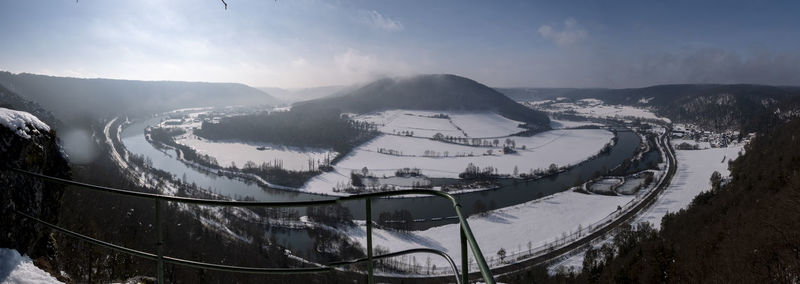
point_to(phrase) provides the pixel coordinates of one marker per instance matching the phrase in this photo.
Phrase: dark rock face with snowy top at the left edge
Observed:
(27, 143)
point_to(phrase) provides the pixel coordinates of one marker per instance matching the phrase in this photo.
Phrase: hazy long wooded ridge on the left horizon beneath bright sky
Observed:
(73, 99)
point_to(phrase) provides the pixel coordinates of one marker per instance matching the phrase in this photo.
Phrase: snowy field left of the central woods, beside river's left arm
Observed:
(227, 152)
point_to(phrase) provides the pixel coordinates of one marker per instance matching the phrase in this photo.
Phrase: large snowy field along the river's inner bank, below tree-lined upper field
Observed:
(560, 147)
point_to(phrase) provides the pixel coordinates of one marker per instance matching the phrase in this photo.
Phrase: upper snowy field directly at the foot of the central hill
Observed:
(423, 124)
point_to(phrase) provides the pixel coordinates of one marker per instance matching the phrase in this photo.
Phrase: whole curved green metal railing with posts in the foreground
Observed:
(466, 236)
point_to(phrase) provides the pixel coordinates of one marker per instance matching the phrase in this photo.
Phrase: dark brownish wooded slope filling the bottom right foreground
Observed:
(745, 231)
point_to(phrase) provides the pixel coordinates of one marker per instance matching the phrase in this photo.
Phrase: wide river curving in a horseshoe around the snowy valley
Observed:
(511, 192)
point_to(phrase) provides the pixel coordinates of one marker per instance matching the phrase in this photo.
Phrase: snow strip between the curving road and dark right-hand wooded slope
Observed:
(694, 171)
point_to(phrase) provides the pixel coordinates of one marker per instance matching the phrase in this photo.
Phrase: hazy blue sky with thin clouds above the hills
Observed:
(310, 43)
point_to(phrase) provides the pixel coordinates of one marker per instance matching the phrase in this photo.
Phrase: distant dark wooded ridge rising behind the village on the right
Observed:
(750, 108)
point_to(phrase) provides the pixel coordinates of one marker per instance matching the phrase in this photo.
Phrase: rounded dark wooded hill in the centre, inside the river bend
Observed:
(428, 92)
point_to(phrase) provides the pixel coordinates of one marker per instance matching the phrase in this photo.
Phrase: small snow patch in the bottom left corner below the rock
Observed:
(16, 268)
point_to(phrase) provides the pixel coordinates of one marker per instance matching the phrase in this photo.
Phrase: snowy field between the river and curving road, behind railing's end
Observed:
(539, 222)
